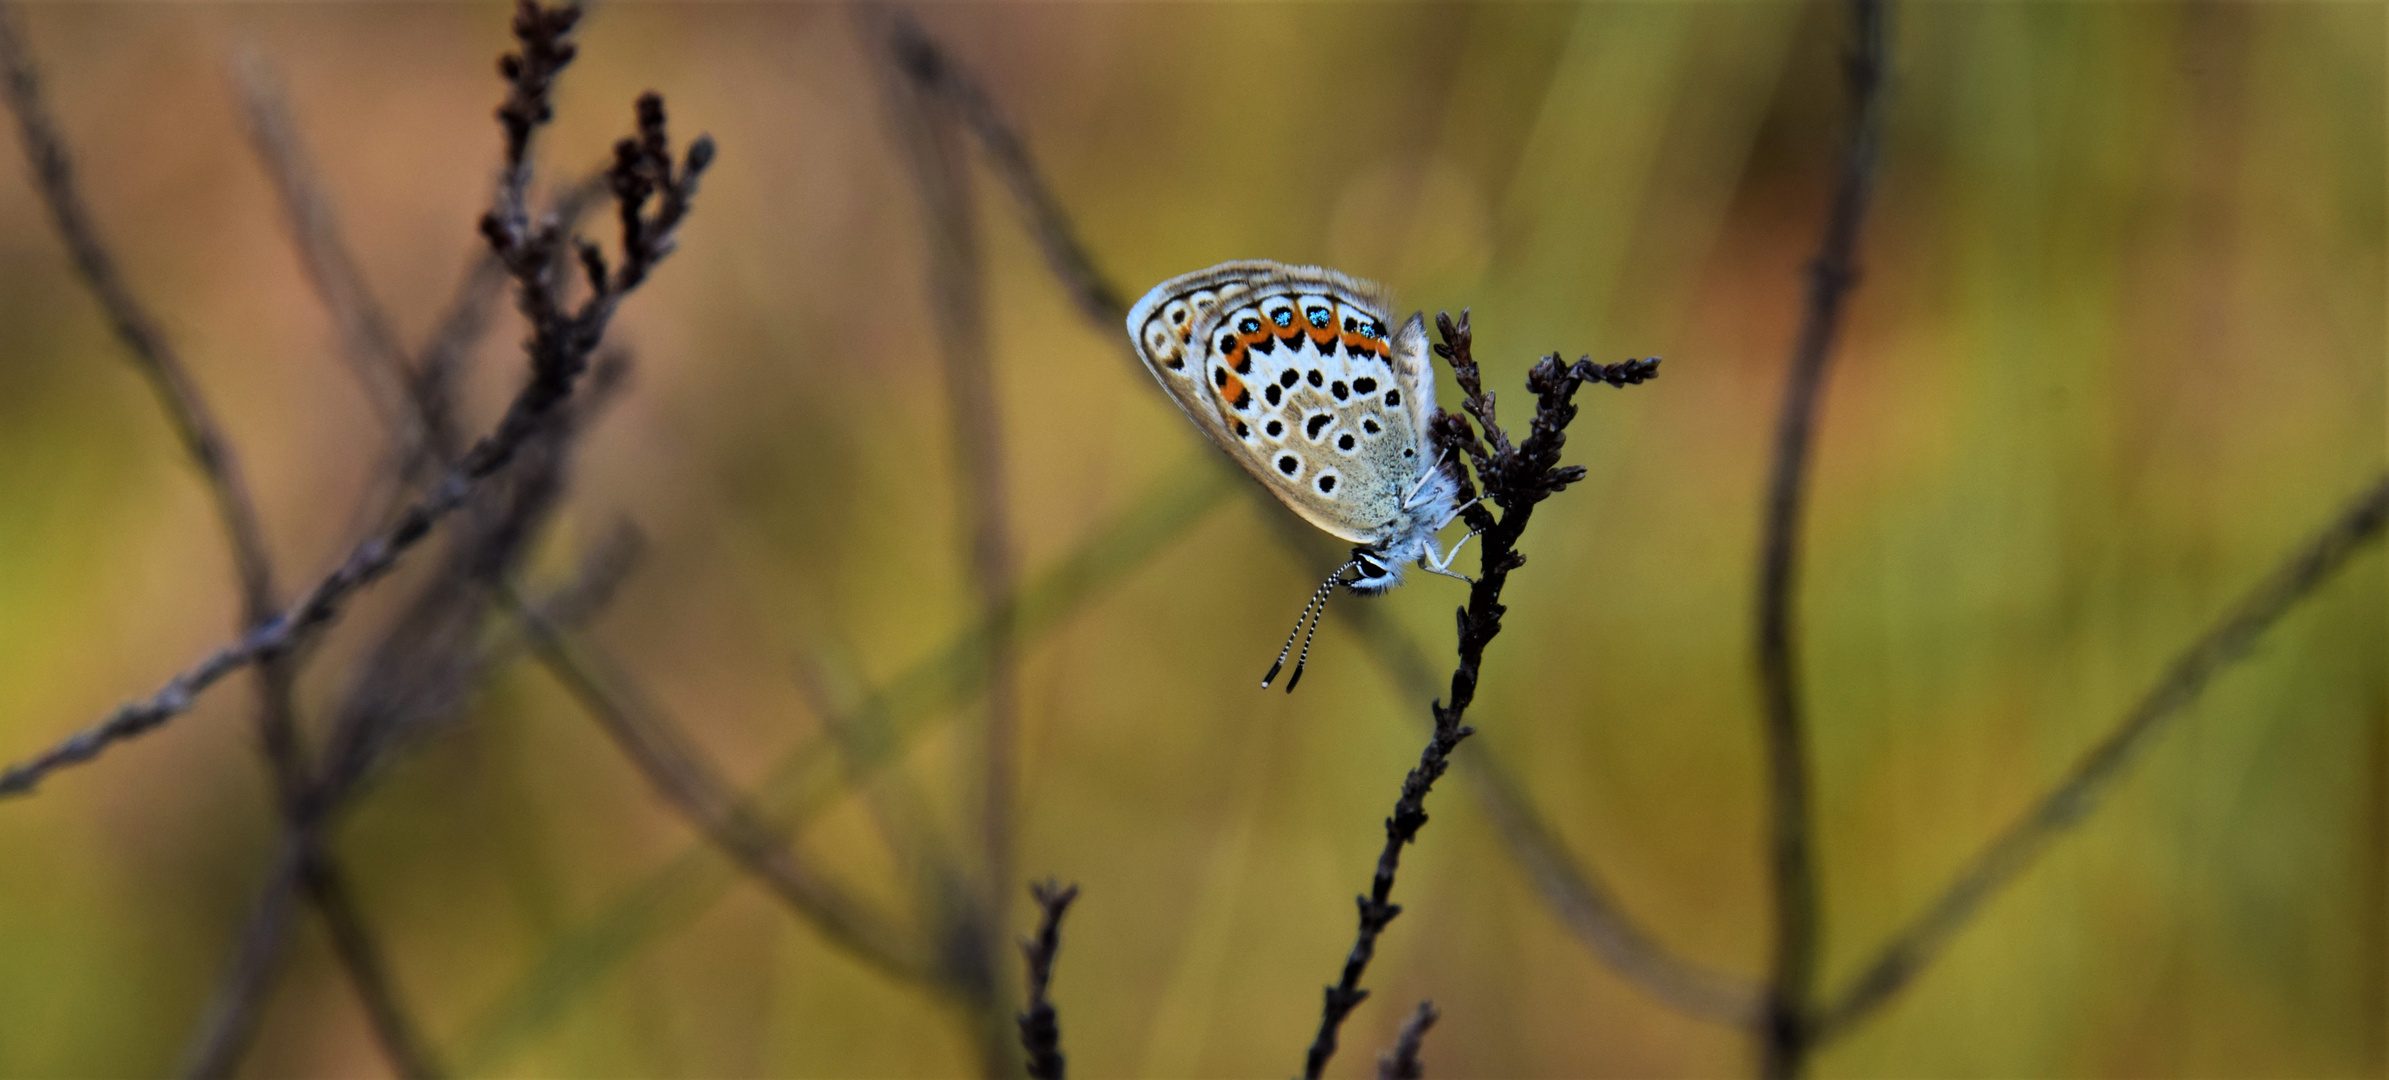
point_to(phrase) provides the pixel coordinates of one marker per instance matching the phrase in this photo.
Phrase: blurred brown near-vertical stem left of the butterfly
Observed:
(933, 140)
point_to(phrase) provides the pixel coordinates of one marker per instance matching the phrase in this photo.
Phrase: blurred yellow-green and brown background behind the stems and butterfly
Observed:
(2118, 348)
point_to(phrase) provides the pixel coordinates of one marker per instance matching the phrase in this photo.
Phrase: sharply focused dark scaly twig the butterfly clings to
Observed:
(1516, 479)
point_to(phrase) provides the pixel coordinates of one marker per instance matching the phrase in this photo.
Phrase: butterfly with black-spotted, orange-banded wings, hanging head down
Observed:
(1303, 381)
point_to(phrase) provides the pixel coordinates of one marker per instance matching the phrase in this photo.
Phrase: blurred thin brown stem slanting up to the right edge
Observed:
(2106, 763)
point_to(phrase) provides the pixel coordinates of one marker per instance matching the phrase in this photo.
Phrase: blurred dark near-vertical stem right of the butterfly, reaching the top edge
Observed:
(1783, 1024)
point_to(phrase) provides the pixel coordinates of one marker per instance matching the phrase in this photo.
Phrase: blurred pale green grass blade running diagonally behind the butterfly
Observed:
(821, 771)
